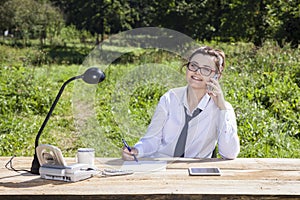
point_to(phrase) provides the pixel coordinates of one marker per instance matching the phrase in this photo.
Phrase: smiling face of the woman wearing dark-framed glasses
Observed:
(196, 79)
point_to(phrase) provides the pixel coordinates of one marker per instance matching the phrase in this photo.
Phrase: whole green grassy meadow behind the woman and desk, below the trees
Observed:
(261, 84)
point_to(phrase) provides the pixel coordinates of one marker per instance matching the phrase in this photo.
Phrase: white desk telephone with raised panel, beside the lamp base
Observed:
(54, 167)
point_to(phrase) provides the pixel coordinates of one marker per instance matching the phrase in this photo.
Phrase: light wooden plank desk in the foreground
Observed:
(247, 178)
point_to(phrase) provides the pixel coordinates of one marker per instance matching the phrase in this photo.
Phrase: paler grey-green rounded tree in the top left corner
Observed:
(30, 19)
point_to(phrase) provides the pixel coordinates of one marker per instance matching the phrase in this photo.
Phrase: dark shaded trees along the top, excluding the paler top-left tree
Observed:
(224, 20)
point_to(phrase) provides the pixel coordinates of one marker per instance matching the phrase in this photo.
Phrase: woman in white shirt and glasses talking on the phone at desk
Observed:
(190, 121)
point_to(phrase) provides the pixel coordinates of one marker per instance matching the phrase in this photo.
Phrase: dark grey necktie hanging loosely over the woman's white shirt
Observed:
(180, 146)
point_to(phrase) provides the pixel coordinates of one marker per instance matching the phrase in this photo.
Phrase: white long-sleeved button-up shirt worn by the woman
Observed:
(212, 126)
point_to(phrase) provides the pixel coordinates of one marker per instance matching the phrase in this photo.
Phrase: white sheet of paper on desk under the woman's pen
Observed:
(145, 166)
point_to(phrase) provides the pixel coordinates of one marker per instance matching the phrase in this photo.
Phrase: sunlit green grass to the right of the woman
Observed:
(262, 86)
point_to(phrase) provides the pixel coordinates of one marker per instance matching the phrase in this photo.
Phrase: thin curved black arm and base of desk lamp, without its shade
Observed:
(35, 163)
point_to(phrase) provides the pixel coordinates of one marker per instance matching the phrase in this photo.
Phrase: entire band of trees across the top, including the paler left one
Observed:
(226, 20)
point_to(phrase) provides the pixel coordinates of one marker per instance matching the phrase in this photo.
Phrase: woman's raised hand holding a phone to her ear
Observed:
(216, 93)
